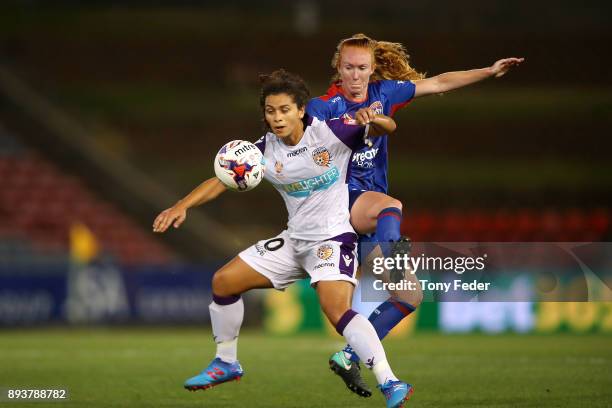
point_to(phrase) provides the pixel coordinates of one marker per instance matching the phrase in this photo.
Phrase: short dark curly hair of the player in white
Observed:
(281, 81)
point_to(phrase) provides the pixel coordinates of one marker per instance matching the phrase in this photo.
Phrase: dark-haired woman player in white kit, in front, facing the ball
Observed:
(307, 162)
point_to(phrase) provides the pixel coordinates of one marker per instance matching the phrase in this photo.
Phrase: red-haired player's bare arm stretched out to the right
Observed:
(458, 79)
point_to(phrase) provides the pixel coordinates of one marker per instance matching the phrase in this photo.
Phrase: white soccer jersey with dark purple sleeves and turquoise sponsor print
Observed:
(311, 177)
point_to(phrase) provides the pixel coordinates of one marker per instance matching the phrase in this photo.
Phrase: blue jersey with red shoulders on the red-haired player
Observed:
(368, 168)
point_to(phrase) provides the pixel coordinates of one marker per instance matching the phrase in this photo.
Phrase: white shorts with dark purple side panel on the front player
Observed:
(284, 260)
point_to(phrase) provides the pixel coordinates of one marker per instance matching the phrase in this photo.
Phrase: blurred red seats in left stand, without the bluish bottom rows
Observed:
(44, 203)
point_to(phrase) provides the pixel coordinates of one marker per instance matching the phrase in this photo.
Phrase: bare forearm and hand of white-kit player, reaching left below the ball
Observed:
(175, 215)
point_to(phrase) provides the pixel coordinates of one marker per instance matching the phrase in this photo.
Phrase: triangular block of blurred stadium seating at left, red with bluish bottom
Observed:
(39, 203)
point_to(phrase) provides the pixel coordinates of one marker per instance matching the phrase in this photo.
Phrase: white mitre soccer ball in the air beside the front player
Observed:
(239, 165)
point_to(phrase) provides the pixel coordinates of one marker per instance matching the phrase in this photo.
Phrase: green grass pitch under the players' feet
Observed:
(146, 368)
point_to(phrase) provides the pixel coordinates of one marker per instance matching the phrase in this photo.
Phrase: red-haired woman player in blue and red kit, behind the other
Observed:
(376, 76)
